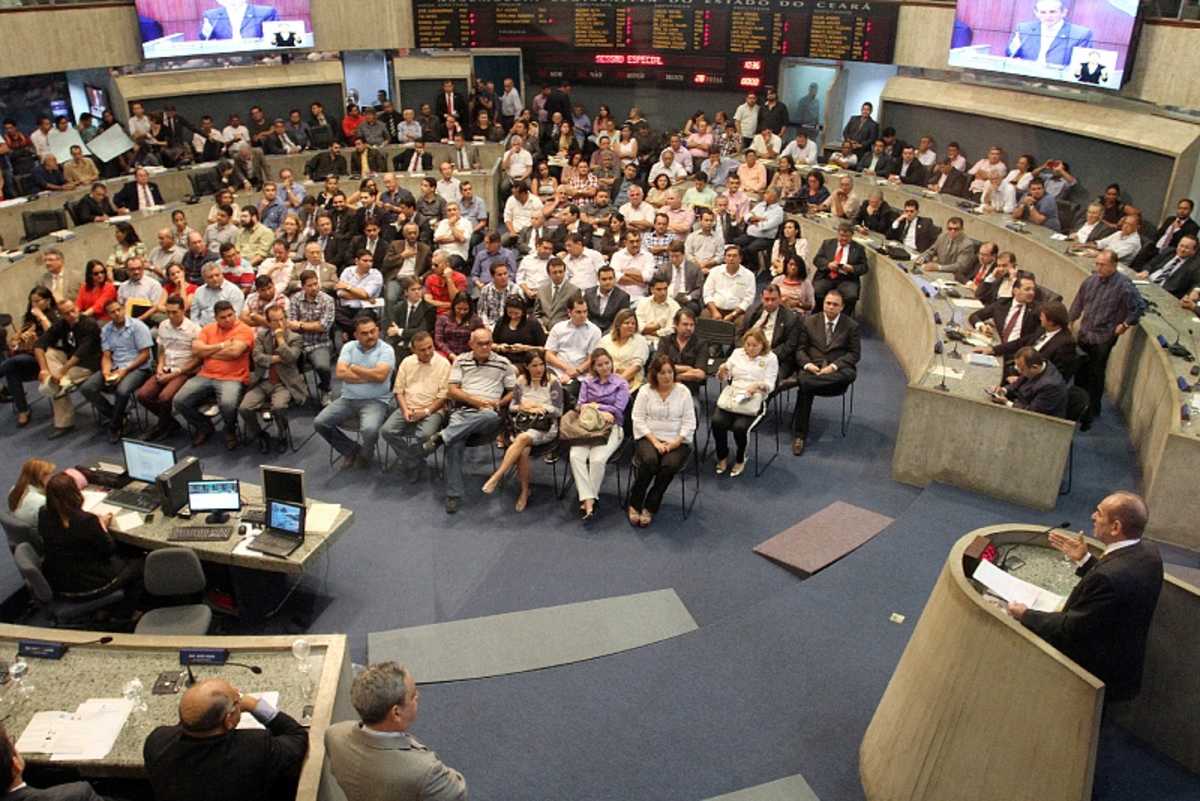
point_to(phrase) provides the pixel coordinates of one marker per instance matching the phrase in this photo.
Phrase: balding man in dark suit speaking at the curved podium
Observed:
(1106, 622)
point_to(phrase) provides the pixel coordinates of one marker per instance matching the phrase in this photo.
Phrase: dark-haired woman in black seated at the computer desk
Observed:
(81, 556)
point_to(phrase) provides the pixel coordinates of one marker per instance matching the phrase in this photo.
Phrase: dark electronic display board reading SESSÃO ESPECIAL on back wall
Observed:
(704, 44)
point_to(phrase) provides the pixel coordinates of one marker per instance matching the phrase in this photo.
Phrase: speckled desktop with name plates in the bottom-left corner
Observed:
(103, 672)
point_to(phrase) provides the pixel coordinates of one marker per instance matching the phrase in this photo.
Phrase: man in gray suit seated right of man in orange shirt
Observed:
(278, 382)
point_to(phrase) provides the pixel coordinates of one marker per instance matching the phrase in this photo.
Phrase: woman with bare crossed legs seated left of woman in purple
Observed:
(535, 411)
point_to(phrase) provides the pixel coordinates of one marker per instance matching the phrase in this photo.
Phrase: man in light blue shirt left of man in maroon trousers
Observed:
(124, 368)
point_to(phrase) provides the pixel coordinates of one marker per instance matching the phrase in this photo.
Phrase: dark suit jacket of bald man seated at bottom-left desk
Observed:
(239, 766)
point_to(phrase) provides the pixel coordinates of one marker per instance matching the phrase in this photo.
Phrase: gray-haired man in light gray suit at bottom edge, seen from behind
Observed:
(377, 760)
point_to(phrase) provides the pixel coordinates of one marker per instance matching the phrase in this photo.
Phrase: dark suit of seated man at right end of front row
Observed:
(815, 347)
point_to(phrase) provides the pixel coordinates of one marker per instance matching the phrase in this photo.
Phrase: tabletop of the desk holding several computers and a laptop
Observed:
(154, 535)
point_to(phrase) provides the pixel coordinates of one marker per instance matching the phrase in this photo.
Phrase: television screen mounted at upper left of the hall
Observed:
(183, 28)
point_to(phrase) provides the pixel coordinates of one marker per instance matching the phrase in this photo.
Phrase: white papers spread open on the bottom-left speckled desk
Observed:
(87, 734)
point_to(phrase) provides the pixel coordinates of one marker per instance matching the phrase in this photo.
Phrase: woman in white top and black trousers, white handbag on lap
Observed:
(752, 372)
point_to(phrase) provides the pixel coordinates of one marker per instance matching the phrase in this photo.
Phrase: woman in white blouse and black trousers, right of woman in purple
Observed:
(664, 424)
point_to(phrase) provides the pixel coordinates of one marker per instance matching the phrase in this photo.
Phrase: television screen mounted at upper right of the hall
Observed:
(1085, 43)
